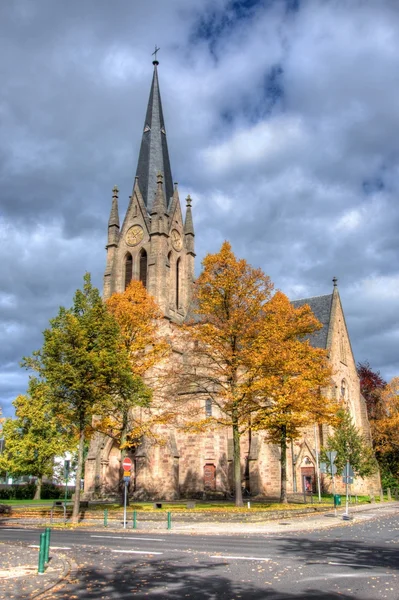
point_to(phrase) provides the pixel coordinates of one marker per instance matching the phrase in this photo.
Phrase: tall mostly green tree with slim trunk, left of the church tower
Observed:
(84, 365)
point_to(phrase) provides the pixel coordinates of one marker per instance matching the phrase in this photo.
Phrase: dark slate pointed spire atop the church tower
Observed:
(154, 155)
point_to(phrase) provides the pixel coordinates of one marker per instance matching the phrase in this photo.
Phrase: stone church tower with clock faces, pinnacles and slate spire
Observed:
(154, 244)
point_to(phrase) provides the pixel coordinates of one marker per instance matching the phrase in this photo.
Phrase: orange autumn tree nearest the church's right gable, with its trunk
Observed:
(291, 377)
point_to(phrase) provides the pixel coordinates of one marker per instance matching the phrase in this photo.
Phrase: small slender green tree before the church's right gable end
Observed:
(350, 446)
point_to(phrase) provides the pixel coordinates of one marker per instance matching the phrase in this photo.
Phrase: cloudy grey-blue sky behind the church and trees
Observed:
(283, 125)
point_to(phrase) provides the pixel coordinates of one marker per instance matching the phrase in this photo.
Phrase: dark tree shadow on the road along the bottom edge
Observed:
(171, 580)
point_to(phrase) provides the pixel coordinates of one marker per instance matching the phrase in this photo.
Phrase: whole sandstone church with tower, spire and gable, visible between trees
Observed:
(155, 245)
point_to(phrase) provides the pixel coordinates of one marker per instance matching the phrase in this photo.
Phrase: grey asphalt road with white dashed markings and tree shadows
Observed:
(358, 561)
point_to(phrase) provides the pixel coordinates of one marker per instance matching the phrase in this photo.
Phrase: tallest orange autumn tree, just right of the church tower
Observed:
(229, 298)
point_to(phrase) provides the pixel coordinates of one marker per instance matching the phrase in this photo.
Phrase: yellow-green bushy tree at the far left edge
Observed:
(34, 437)
